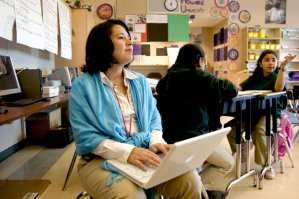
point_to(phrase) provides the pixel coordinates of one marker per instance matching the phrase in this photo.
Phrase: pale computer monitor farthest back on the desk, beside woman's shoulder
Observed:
(63, 75)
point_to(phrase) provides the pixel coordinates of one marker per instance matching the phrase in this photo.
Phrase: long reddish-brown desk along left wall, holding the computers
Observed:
(15, 113)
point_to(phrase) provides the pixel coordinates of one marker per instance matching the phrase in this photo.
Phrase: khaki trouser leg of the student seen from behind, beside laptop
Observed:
(220, 163)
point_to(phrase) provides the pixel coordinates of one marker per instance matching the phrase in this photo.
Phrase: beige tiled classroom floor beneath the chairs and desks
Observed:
(36, 162)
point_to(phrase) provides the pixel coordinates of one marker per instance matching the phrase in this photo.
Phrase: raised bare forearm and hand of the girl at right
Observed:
(279, 84)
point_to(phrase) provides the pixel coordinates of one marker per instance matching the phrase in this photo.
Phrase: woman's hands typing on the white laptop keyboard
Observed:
(139, 157)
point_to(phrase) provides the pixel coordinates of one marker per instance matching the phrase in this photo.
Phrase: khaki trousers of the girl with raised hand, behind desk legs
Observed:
(259, 140)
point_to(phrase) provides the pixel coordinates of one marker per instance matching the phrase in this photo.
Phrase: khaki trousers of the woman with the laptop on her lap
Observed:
(94, 179)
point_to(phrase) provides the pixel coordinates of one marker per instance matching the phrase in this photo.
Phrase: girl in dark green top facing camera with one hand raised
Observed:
(266, 76)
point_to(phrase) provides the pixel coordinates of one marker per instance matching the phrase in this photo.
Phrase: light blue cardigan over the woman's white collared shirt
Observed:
(96, 116)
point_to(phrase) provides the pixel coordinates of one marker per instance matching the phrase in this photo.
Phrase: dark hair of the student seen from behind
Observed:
(189, 55)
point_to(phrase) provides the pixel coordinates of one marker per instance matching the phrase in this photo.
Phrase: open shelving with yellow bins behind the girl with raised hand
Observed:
(283, 41)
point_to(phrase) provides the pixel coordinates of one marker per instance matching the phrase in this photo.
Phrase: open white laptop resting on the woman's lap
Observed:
(183, 157)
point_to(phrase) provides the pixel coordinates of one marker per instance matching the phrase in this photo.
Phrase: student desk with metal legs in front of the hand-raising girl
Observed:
(268, 102)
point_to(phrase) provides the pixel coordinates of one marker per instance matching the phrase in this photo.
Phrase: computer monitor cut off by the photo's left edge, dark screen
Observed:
(9, 83)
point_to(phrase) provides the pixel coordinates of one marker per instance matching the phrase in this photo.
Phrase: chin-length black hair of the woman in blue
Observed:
(99, 47)
